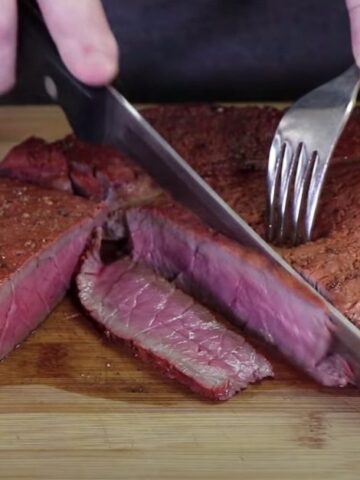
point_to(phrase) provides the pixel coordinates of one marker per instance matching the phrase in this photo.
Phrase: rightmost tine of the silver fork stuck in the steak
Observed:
(315, 188)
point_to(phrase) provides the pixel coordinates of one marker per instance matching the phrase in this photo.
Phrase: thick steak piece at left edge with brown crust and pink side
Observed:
(42, 235)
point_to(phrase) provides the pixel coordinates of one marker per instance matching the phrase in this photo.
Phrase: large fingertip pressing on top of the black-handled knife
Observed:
(84, 39)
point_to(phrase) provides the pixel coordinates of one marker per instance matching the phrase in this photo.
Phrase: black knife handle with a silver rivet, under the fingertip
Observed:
(39, 57)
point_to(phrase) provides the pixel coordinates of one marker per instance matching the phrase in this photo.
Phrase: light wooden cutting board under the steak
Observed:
(72, 406)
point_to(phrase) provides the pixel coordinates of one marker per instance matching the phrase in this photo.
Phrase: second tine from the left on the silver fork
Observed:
(287, 169)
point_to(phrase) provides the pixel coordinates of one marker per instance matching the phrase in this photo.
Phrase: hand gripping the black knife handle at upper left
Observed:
(80, 31)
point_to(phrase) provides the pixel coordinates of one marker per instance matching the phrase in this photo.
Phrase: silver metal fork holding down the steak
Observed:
(300, 154)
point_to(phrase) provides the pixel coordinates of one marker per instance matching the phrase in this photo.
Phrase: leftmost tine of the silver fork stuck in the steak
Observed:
(273, 182)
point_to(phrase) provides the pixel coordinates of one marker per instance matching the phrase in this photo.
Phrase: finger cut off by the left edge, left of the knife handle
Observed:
(8, 33)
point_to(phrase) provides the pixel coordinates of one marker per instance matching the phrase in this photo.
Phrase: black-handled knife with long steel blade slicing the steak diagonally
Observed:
(104, 116)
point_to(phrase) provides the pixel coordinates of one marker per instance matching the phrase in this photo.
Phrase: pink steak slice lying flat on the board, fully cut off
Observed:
(167, 327)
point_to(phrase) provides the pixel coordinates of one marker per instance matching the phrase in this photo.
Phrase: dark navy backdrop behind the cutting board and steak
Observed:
(230, 50)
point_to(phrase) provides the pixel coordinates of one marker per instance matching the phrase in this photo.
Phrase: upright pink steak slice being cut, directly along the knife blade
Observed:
(241, 284)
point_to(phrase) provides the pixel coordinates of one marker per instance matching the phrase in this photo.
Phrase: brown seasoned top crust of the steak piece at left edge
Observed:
(32, 218)
